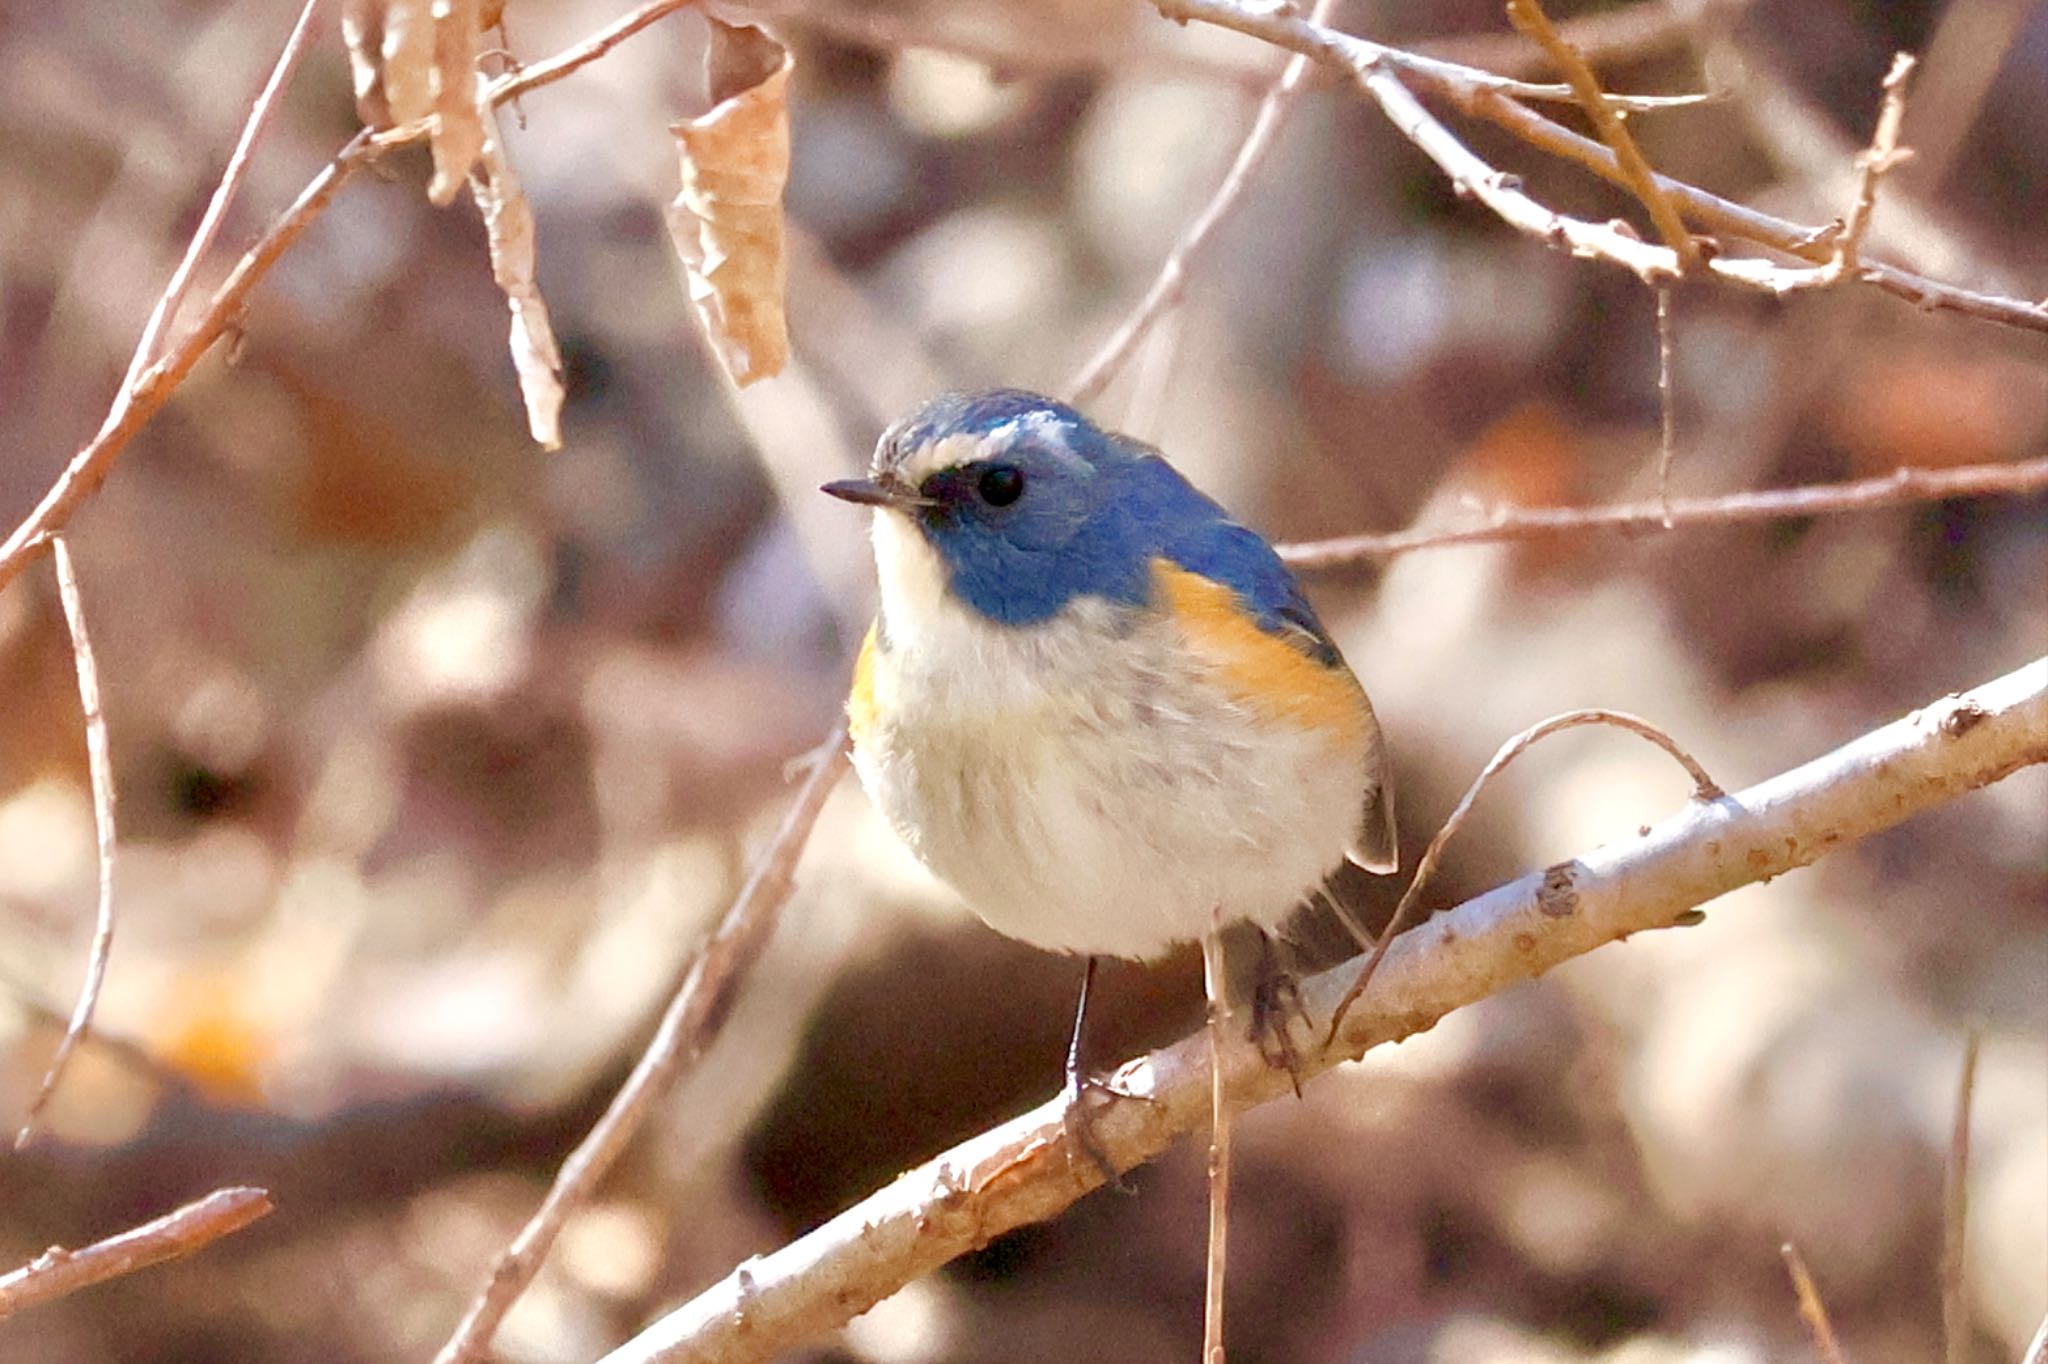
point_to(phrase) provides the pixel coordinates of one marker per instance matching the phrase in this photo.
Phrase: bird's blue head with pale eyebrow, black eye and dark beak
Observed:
(1027, 505)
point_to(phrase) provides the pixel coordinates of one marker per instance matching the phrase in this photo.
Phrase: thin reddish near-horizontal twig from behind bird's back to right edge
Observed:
(1897, 488)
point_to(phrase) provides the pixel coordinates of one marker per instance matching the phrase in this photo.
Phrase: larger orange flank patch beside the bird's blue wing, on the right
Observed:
(1258, 667)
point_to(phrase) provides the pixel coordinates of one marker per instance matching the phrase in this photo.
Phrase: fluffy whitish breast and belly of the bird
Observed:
(1091, 787)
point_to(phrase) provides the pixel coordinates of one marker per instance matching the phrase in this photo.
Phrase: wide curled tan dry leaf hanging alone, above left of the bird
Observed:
(728, 220)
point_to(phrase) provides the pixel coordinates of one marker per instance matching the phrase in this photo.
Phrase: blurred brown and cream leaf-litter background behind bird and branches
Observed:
(437, 755)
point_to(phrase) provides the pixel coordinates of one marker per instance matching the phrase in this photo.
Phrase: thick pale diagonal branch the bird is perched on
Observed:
(1021, 1173)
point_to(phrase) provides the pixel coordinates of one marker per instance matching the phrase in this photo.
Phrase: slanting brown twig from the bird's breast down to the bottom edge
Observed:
(693, 1019)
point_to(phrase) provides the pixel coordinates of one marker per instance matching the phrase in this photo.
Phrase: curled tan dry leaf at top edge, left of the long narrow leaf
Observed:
(419, 58)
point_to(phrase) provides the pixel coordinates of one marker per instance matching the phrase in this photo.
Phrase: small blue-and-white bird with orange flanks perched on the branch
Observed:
(1093, 701)
